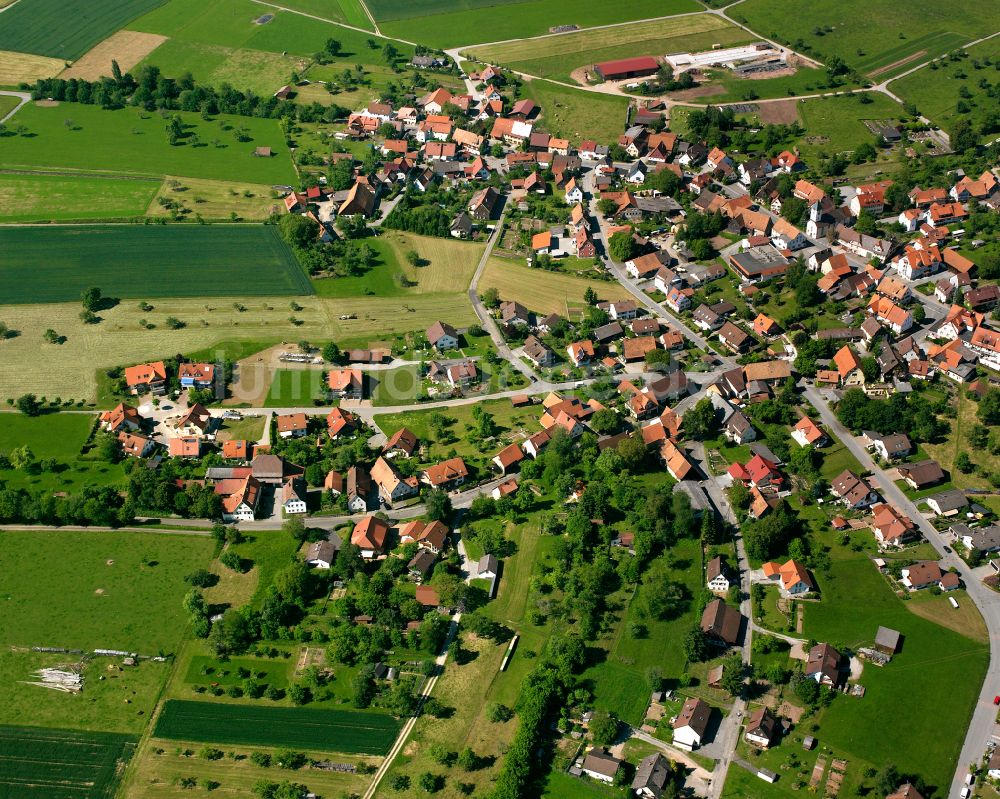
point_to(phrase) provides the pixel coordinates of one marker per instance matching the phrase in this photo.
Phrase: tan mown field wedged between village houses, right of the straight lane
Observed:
(542, 291)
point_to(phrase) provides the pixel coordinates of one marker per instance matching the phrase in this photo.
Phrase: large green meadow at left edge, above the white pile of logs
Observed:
(97, 589)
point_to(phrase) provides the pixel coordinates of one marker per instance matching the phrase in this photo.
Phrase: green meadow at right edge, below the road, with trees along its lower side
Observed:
(937, 92)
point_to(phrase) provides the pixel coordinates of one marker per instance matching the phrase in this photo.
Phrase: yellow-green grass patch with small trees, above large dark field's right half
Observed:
(214, 199)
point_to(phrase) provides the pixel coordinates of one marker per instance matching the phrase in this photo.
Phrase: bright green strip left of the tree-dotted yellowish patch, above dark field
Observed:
(45, 198)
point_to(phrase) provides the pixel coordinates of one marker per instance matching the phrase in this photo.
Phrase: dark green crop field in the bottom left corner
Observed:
(40, 763)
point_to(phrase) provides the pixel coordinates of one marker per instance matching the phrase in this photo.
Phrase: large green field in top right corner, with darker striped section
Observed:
(877, 37)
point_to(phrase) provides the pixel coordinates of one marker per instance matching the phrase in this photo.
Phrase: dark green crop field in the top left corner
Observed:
(64, 29)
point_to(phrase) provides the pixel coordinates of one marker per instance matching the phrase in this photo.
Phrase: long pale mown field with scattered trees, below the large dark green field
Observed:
(70, 369)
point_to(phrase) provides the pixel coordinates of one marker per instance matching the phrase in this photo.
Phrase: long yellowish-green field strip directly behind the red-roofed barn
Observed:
(558, 56)
